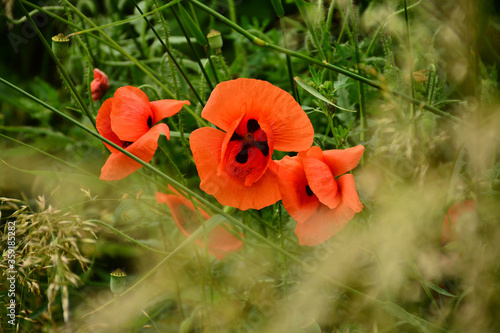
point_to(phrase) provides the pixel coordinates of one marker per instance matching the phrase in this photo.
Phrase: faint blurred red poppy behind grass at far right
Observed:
(455, 214)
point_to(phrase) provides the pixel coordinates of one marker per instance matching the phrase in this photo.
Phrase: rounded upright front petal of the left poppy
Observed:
(130, 113)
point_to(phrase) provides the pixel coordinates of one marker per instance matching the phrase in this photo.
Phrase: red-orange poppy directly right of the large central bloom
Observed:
(315, 196)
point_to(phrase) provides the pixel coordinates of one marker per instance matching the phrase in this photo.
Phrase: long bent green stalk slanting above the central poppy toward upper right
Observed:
(261, 43)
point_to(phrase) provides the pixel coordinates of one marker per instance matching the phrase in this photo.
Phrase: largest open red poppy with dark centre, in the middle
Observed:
(255, 117)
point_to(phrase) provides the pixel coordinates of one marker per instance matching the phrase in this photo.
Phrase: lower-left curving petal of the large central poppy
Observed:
(206, 145)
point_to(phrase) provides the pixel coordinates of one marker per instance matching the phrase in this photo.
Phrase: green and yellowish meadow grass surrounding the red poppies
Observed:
(388, 270)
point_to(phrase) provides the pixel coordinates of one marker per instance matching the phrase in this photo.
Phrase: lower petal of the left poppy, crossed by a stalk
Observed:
(119, 166)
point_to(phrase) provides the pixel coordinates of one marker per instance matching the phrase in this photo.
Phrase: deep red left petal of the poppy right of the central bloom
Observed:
(298, 202)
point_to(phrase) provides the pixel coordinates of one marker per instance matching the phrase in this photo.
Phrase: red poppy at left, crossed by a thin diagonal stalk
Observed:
(128, 119)
